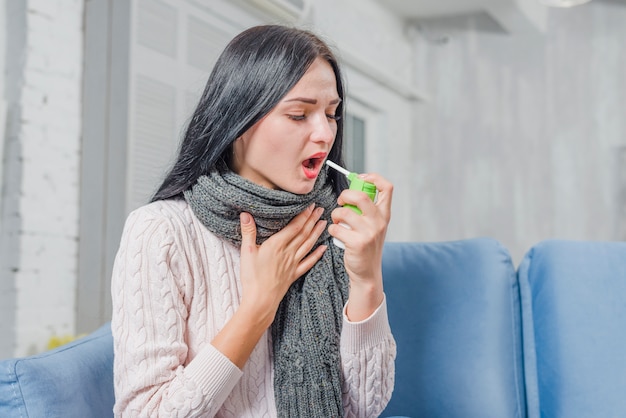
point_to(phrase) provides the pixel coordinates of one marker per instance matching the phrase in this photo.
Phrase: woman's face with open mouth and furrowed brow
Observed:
(287, 148)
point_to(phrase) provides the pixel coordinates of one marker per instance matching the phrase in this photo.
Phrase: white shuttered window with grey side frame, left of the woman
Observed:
(158, 54)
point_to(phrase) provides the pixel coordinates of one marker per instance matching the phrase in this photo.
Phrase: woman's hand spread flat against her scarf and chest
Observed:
(269, 269)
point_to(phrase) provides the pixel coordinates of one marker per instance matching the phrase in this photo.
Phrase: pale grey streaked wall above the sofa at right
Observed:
(523, 138)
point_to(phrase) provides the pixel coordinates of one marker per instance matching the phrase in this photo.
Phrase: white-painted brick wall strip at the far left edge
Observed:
(45, 152)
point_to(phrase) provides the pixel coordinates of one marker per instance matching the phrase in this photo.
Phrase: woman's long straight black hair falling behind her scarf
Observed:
(253, 73)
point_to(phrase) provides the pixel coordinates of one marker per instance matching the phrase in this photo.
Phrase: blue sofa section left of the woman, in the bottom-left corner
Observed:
(74, 380)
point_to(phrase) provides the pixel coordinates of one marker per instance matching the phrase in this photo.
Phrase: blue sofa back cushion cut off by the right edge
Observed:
(574, 316)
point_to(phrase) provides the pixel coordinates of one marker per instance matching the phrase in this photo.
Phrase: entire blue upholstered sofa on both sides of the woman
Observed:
(476, 338)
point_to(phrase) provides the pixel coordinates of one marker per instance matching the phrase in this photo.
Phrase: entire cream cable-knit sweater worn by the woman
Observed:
(174, 286)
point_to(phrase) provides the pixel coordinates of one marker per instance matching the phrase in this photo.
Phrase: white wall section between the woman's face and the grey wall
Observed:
(377, 54)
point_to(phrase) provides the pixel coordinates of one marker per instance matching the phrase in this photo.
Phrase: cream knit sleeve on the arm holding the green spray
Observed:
(368, 352)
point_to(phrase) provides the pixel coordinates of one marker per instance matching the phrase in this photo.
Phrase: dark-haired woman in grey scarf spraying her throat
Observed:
(229, 298)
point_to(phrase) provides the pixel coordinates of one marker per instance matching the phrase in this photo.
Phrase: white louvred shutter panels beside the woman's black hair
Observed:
(174, 46)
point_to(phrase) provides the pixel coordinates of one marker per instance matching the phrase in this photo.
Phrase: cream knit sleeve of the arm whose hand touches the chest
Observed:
(152, 375)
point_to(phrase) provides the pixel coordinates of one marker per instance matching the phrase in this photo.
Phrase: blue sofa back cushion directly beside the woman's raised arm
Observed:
(454, 310)
